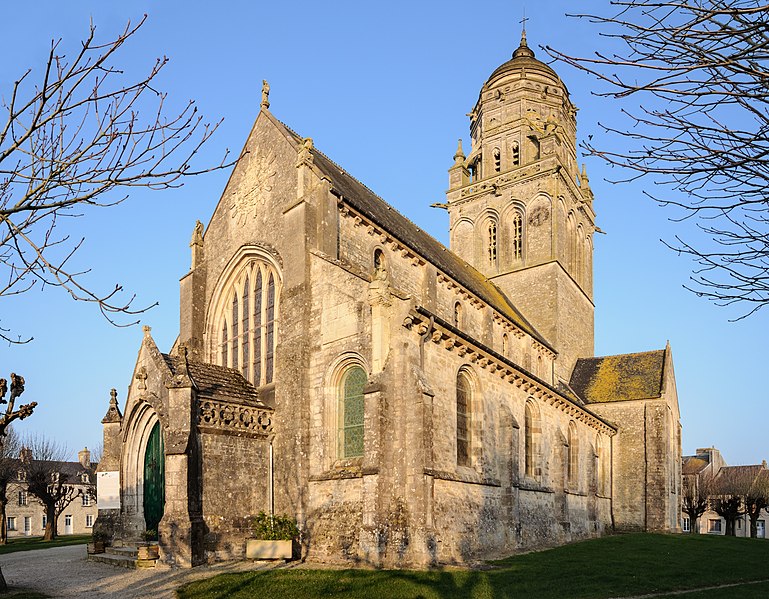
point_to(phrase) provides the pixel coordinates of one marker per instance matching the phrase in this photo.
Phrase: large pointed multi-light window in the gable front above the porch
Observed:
(247, 318)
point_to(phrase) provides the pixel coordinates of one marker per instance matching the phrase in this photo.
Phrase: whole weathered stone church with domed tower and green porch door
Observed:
(410, 404)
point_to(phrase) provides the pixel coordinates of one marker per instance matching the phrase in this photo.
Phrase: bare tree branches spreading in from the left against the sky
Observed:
(79, 134)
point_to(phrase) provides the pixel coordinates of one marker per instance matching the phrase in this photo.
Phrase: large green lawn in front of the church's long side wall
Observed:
(617, 566)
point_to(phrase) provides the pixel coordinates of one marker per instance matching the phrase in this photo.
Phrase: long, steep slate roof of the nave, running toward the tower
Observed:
(370, 205)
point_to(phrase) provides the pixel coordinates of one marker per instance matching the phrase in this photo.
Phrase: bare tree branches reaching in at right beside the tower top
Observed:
(695, 74)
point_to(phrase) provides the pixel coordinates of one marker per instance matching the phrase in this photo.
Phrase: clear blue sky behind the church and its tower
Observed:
(383, 88)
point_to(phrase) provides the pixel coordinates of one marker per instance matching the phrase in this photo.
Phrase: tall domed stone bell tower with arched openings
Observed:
(521, 211)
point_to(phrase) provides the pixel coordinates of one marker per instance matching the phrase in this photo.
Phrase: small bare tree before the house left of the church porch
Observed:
(49, 480)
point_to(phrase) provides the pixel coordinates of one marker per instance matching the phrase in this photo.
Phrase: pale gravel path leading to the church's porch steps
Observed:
(65, 572)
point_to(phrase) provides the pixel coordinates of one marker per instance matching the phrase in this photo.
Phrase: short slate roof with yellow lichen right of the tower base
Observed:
(619, 378)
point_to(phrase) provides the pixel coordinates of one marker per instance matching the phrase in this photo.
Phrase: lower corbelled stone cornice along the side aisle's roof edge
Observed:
(452, 339)
